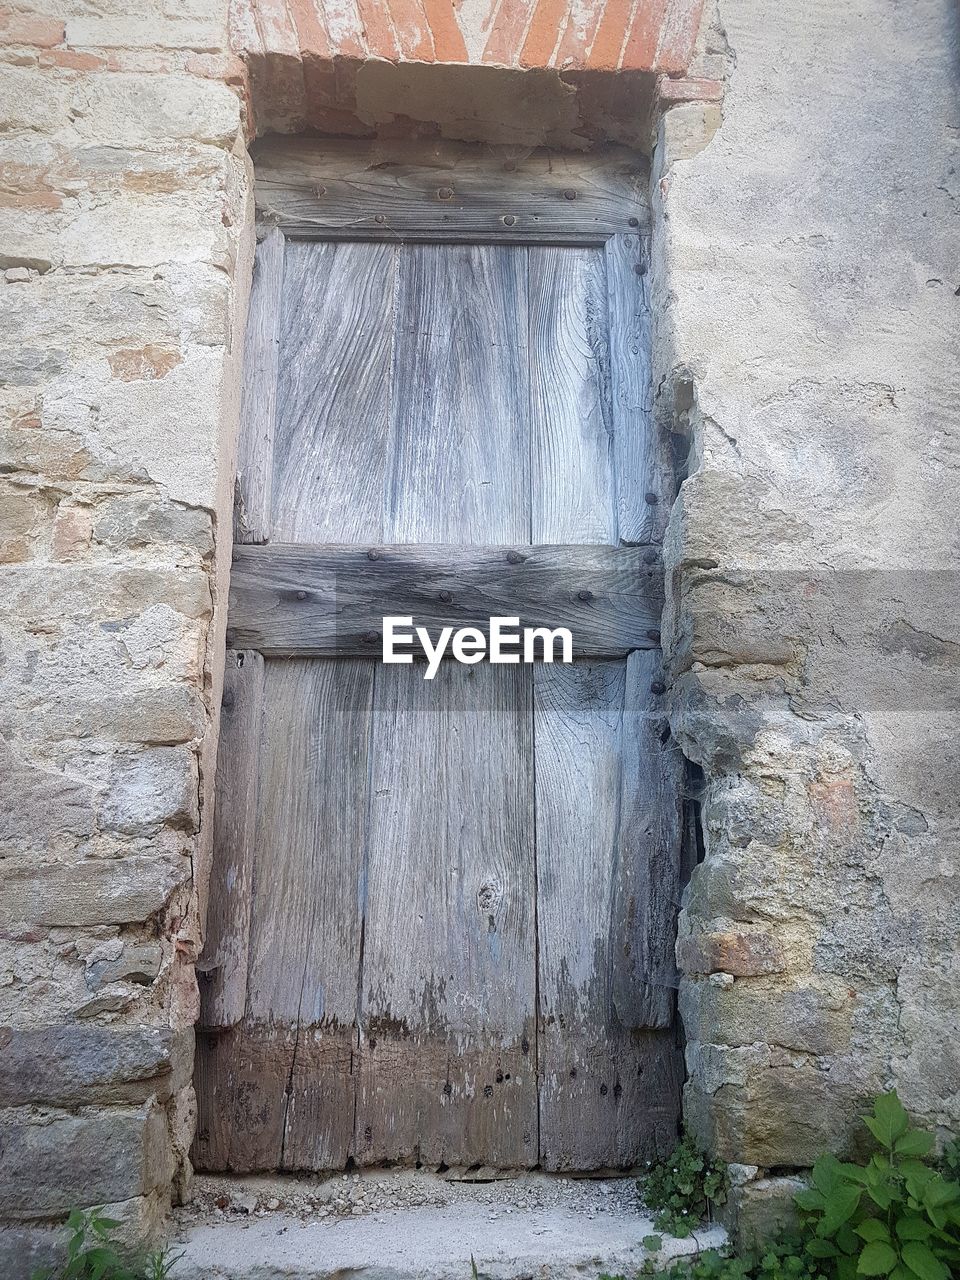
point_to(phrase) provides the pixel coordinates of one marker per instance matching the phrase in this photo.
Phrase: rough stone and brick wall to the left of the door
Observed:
(125, 246)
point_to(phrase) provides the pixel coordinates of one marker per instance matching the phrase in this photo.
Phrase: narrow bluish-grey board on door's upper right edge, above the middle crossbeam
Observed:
(643, 468)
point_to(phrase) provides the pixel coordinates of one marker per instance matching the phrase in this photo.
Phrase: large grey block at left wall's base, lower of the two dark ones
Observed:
(54, 1164)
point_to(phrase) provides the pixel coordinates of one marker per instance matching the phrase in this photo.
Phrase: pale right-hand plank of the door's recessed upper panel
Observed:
(570, 397)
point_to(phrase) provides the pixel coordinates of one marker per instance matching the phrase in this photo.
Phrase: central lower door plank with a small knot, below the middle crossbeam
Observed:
(449, 982)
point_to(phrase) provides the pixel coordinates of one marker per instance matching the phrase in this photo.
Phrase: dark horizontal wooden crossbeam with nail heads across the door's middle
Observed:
(324, 601)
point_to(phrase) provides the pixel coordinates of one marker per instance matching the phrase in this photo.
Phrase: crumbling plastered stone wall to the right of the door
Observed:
(808, 318)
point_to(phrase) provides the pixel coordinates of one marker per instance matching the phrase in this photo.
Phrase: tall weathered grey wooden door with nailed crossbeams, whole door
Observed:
(442, 913)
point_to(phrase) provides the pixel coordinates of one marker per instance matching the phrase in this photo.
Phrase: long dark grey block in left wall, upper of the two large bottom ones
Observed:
(79, 1066)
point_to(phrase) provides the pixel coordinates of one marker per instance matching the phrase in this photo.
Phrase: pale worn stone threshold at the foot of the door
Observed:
(413, 1226)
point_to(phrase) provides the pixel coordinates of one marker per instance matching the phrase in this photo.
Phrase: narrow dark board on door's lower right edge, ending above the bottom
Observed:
(648, 861)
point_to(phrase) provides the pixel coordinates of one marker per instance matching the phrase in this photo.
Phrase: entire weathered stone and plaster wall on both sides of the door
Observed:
(807, 289)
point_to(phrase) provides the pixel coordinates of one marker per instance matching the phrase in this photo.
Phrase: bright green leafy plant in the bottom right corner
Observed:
(898, 1217)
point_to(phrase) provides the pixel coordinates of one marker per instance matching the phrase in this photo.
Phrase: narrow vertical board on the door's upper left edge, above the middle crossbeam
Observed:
(252, 522)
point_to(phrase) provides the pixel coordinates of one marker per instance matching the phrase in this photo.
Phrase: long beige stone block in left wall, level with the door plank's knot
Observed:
(97, 892)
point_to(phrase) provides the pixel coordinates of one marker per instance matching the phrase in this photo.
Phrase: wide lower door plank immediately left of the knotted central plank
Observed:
(296, 1057)
